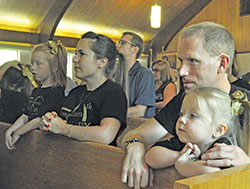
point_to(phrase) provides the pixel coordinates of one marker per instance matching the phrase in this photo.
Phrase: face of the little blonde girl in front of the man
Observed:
(192, 126)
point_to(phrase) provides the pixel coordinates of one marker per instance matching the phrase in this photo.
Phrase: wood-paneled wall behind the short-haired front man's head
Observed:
(227, 14)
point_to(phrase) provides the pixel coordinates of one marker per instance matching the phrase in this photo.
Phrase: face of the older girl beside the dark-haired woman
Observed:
(40, 67)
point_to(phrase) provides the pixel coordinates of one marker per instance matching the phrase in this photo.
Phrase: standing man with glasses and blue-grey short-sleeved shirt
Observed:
(141, 80)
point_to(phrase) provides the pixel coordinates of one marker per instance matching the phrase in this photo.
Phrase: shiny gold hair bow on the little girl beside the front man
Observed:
(239, 98)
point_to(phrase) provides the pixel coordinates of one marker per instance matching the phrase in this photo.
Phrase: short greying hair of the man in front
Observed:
(216, 39)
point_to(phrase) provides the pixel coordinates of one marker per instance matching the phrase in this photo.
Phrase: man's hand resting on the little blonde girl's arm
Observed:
(222, 155)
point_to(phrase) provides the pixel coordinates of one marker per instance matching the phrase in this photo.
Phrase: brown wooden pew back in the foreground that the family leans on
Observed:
(52, 161)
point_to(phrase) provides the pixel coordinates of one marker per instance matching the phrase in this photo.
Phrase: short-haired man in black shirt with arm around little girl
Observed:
(205, 52)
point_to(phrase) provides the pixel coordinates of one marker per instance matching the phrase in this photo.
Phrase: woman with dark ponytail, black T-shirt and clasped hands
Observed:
(95, 111)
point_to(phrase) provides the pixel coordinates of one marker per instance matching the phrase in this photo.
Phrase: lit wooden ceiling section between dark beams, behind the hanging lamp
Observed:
(116, 16)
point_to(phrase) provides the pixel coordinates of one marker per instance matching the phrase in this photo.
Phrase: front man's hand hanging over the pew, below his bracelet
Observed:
(135, 172)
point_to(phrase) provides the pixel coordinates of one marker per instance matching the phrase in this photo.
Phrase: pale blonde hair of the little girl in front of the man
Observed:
(218, 104)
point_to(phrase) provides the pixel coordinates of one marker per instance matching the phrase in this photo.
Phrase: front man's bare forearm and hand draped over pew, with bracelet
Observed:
(135, 171)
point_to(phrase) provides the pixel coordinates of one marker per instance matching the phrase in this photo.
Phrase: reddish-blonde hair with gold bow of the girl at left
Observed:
(57, 58)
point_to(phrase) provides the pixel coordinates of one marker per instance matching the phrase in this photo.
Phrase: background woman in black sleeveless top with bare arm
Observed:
(165, 89)
